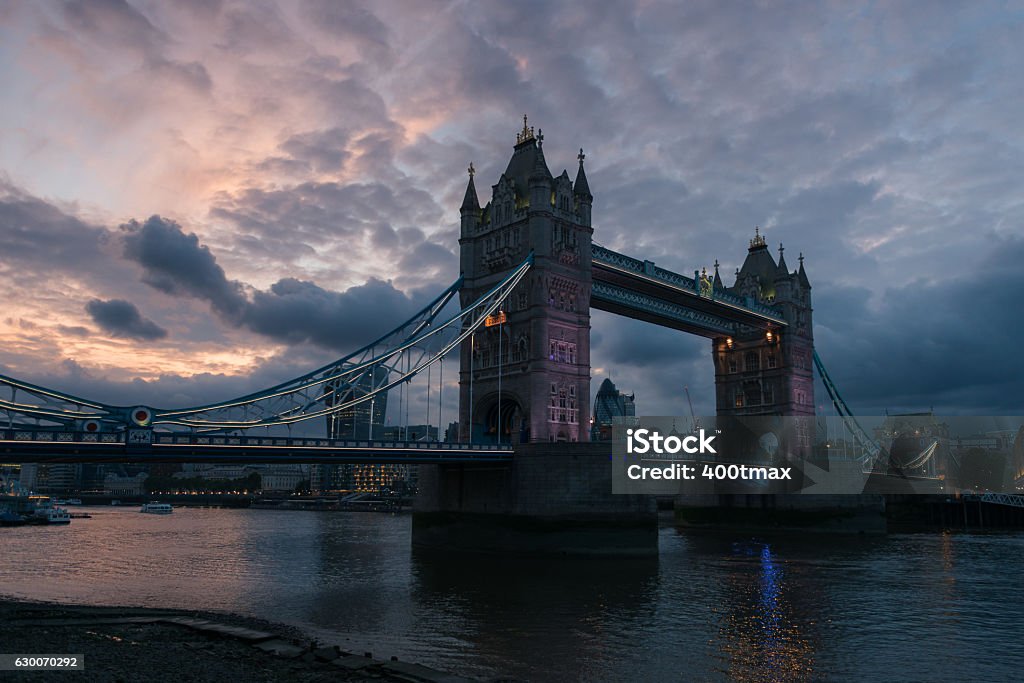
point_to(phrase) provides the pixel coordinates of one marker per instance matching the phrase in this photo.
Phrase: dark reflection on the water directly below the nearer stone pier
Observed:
(583, 615)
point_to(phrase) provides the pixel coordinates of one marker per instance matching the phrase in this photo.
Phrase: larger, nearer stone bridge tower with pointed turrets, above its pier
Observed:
(527, 377)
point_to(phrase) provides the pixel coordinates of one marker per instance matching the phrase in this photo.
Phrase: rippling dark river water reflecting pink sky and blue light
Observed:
(724, 607)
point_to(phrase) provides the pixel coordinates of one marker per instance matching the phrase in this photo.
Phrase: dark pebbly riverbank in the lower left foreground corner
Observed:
(140, 645)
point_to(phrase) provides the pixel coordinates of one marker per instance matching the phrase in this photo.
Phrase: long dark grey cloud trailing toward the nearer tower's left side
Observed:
(292, 311)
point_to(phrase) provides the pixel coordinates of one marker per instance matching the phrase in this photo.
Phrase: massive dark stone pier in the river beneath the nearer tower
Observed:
(551, 499)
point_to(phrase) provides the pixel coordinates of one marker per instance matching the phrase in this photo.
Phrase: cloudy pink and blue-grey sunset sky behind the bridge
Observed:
(200, 199)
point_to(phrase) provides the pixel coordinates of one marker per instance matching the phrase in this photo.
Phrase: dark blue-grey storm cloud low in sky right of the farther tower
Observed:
(950, 343)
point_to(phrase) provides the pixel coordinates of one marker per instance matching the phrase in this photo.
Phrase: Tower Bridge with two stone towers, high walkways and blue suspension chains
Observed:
(531, 274)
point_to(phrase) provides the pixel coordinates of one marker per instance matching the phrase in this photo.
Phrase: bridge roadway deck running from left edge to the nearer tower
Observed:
(49, 446)
